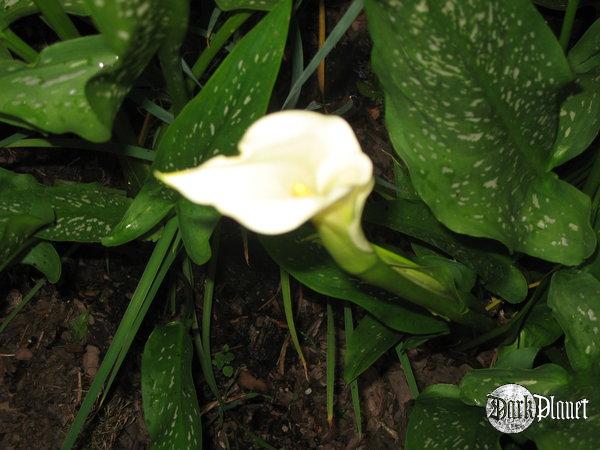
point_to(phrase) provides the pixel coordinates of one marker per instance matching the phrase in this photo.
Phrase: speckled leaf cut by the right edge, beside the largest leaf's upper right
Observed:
(580, 112)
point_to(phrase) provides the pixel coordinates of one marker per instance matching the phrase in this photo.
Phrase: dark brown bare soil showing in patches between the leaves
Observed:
(50, 351)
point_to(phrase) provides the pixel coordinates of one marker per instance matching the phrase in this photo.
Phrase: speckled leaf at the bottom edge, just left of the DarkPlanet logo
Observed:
(440, 420)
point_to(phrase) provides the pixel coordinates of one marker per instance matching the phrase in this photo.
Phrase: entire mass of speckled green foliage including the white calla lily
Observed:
(478, 234)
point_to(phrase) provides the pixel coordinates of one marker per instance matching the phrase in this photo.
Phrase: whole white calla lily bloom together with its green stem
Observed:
(296, 166)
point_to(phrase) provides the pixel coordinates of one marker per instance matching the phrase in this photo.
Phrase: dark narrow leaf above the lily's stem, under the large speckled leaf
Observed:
(415, 219)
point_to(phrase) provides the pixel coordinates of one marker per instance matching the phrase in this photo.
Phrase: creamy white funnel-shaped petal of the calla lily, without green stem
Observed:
(292, 166)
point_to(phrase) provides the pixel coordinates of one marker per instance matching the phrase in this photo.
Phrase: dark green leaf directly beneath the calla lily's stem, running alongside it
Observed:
(311, 265)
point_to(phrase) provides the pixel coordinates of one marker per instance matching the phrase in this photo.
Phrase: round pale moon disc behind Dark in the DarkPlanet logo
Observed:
(510, 408)
